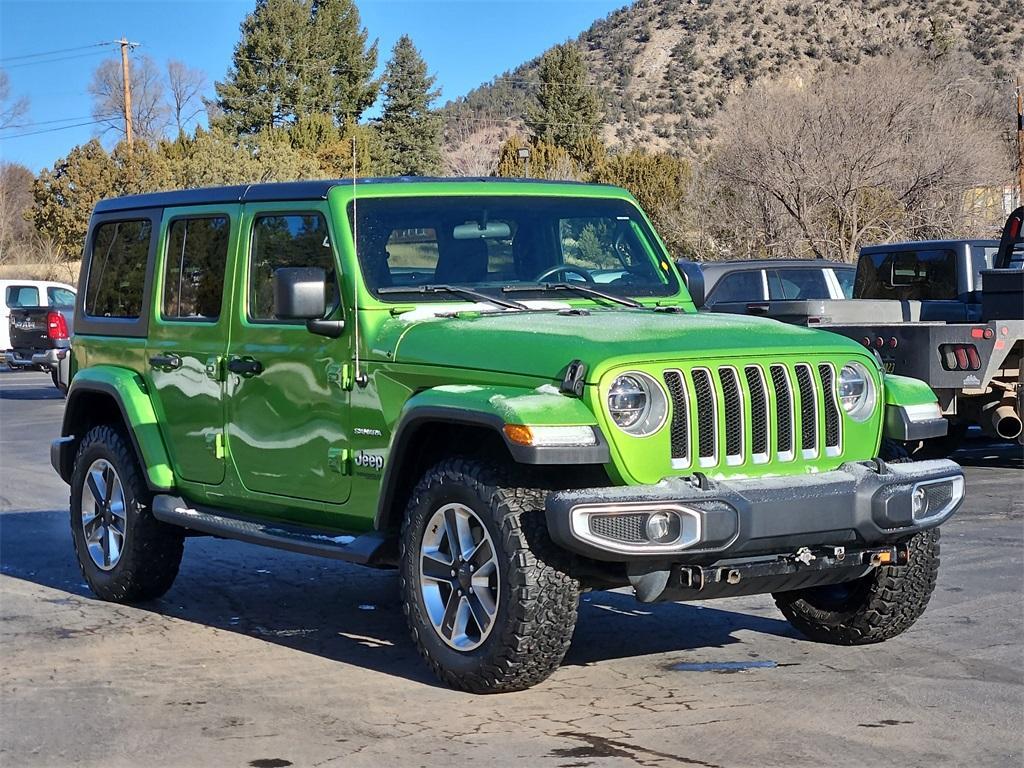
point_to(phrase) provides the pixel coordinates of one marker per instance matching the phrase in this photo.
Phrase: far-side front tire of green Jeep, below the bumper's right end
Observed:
(873, 609)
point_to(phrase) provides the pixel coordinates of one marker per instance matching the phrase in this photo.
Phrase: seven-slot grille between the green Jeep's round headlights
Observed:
(732, 415)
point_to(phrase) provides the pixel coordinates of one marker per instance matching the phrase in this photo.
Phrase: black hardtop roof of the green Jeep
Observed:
(282, 192)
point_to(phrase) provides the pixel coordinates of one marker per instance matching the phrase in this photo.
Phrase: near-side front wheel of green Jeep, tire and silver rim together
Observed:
(517, 631)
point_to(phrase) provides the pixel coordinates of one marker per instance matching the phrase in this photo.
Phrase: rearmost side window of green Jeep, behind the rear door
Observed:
(117, 270)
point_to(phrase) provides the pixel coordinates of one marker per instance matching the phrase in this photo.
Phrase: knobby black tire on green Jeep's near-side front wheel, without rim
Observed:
(537, 603)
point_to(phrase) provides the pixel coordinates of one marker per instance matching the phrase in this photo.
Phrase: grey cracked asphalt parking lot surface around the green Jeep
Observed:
(264, 659)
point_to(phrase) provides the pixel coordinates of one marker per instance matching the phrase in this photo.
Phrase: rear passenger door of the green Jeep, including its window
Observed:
(189, 337)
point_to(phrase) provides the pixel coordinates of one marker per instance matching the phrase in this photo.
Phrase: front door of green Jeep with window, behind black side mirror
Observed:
(288, 406)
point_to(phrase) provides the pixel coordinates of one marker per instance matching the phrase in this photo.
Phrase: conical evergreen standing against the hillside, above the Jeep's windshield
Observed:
(568, 112)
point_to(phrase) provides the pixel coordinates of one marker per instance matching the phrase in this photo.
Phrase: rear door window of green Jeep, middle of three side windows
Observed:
(194, 269)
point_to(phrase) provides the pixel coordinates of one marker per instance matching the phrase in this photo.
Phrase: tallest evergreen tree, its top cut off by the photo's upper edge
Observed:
(295, 59)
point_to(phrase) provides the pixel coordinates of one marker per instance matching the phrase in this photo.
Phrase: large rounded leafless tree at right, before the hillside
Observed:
(891, 149)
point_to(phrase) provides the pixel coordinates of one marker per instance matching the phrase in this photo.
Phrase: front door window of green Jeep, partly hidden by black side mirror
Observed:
(287, 240)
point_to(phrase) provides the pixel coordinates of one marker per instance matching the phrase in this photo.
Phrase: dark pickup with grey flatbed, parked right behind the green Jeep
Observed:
(949, 313)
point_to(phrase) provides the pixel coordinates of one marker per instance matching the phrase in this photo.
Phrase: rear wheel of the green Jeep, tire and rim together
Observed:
(126, 554)
